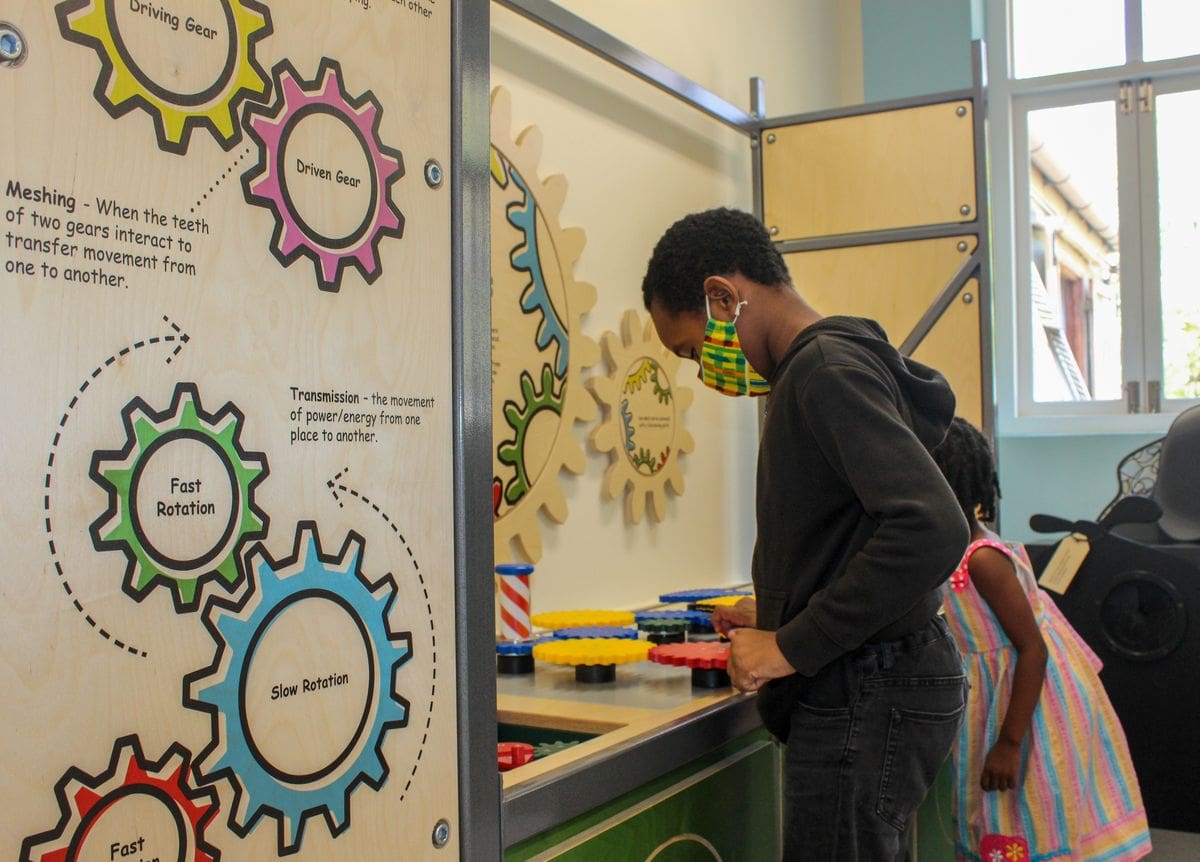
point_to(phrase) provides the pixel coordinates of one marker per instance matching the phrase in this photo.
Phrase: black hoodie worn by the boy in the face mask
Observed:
(857, 529)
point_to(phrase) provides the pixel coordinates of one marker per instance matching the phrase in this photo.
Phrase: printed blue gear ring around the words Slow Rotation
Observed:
(219, 689)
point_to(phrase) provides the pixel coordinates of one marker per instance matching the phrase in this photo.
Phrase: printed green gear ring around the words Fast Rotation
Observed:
(118, 528)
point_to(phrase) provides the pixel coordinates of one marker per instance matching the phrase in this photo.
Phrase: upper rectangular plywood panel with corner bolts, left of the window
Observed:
(871, 172)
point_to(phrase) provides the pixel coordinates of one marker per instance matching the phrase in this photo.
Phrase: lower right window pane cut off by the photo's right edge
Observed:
(1179, 225)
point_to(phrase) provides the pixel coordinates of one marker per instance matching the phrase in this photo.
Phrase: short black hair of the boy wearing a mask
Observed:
(718, 242)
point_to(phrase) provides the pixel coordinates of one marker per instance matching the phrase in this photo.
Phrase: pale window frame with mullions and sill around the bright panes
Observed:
(1010, 100)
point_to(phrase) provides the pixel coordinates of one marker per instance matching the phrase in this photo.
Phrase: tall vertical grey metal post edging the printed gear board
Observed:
(479, 783)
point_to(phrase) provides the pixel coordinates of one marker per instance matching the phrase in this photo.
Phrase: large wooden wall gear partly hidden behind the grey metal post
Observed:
(539, 351)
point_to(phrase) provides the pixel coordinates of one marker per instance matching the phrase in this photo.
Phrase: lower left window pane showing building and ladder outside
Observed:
(1076, 279)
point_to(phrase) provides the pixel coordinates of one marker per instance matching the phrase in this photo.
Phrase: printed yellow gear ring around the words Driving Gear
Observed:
(123, 86)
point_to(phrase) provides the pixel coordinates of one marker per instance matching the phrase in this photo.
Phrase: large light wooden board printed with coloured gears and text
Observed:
(226, 314)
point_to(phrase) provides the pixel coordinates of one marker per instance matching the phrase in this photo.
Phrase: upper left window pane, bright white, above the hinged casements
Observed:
(1053, 37)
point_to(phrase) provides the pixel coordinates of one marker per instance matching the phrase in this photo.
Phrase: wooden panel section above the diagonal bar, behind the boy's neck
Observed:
(892, 284)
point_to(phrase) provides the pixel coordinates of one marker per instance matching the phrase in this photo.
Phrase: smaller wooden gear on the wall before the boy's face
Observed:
(643, 427)
